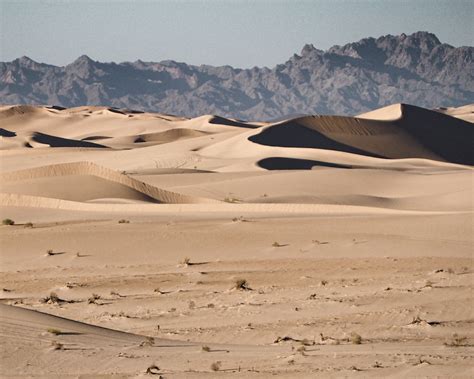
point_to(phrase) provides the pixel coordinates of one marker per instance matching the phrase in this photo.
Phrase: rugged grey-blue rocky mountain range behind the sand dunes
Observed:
(346, 80)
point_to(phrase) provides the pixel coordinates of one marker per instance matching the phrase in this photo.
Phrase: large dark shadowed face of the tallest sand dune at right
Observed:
(416, 133)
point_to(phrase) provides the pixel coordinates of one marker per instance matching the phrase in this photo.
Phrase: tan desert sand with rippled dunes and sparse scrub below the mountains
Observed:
(354, 237)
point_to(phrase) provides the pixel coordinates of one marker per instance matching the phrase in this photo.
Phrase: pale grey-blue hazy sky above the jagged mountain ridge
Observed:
(238, 33)
